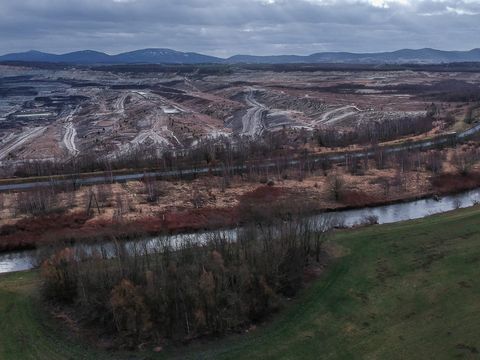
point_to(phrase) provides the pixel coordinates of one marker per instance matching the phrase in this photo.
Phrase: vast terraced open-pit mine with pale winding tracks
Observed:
(63, 112)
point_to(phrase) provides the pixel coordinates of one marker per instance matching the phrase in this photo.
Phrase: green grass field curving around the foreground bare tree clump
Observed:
(403, 291)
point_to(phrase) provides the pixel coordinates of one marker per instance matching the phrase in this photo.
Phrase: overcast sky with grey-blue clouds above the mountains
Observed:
(227, 27)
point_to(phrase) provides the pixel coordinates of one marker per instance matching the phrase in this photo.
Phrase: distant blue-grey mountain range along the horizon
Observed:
(168, 56)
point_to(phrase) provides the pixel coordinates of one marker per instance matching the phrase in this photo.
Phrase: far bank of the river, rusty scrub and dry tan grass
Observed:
(231, 207)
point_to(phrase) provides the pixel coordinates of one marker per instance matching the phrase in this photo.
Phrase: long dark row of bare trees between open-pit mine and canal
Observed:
(224, 156)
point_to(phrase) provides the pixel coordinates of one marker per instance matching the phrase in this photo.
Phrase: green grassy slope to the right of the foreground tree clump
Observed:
(404, 291)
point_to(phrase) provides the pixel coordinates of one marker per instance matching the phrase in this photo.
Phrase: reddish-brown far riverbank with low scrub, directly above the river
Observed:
(309, 196)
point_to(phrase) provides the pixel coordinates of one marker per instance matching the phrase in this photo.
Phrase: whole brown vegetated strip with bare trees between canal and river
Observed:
(56, 214)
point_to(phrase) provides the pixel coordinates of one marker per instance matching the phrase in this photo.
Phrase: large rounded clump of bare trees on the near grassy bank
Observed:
(185, 287)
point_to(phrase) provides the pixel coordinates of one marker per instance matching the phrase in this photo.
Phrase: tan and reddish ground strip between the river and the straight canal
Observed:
(204, 204)
